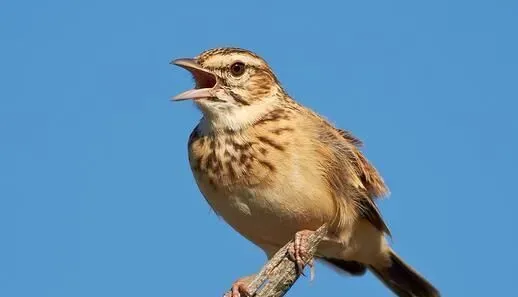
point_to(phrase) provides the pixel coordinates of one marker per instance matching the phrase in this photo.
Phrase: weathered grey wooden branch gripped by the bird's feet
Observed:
(280, 273)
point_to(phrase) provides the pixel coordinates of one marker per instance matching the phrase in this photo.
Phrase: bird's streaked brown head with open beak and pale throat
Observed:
(233, 87)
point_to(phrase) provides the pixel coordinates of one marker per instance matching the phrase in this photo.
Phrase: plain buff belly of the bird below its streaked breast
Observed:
(267, 217)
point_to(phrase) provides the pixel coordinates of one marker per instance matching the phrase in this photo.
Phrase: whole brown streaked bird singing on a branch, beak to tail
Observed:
(275, 170)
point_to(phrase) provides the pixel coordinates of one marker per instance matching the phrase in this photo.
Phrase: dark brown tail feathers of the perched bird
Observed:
(402, 279)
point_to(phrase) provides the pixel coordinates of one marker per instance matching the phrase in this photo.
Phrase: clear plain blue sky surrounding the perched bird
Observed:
(96, 195)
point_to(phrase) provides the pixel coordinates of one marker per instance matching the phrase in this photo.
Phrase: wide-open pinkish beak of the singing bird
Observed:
(205, 81)
